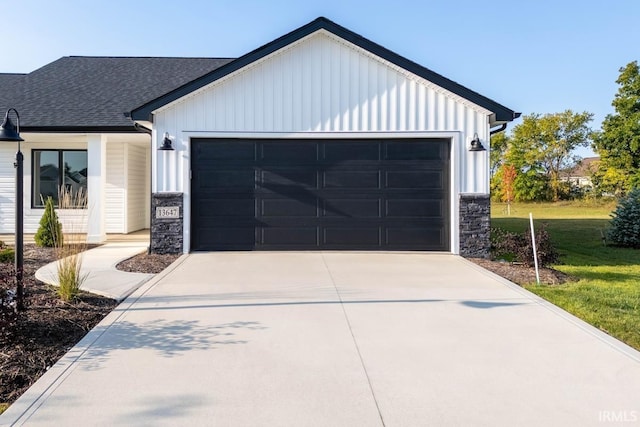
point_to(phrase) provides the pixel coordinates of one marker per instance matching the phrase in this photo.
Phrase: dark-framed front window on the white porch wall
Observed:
(56, 169)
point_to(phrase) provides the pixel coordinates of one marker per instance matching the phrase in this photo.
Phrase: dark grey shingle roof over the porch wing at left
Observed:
(94, 93)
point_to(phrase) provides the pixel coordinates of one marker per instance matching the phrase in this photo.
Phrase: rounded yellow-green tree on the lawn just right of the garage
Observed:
(541, 147)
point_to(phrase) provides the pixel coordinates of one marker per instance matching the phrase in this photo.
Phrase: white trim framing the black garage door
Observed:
(454, 172)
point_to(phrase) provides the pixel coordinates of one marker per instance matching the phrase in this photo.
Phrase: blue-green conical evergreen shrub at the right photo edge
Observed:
(625, 222)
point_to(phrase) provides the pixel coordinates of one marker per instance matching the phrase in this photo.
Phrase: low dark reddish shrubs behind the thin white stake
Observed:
(518, 247)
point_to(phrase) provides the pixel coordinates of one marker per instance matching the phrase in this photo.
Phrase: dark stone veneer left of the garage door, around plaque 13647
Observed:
(166, 233)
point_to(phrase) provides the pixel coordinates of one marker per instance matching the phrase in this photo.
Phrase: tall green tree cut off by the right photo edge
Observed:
(618, 144)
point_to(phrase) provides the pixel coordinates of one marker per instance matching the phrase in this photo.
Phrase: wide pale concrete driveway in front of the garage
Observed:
(337, 339)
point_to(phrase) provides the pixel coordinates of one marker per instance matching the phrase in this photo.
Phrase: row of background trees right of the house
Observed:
(531, 162)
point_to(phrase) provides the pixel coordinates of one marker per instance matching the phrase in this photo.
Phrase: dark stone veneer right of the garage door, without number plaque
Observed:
(475, 225)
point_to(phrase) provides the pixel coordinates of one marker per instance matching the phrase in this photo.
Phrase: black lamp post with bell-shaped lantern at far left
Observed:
(11, 133)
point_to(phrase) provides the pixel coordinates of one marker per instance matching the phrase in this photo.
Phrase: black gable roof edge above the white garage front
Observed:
(502, 113)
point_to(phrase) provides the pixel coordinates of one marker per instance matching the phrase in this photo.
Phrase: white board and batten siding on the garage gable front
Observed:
(322, 86)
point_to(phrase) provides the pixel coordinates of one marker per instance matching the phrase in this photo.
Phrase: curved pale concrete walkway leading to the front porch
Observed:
(99, 265)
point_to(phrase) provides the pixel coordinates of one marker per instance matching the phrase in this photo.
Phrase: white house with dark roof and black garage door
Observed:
(320, 139)
